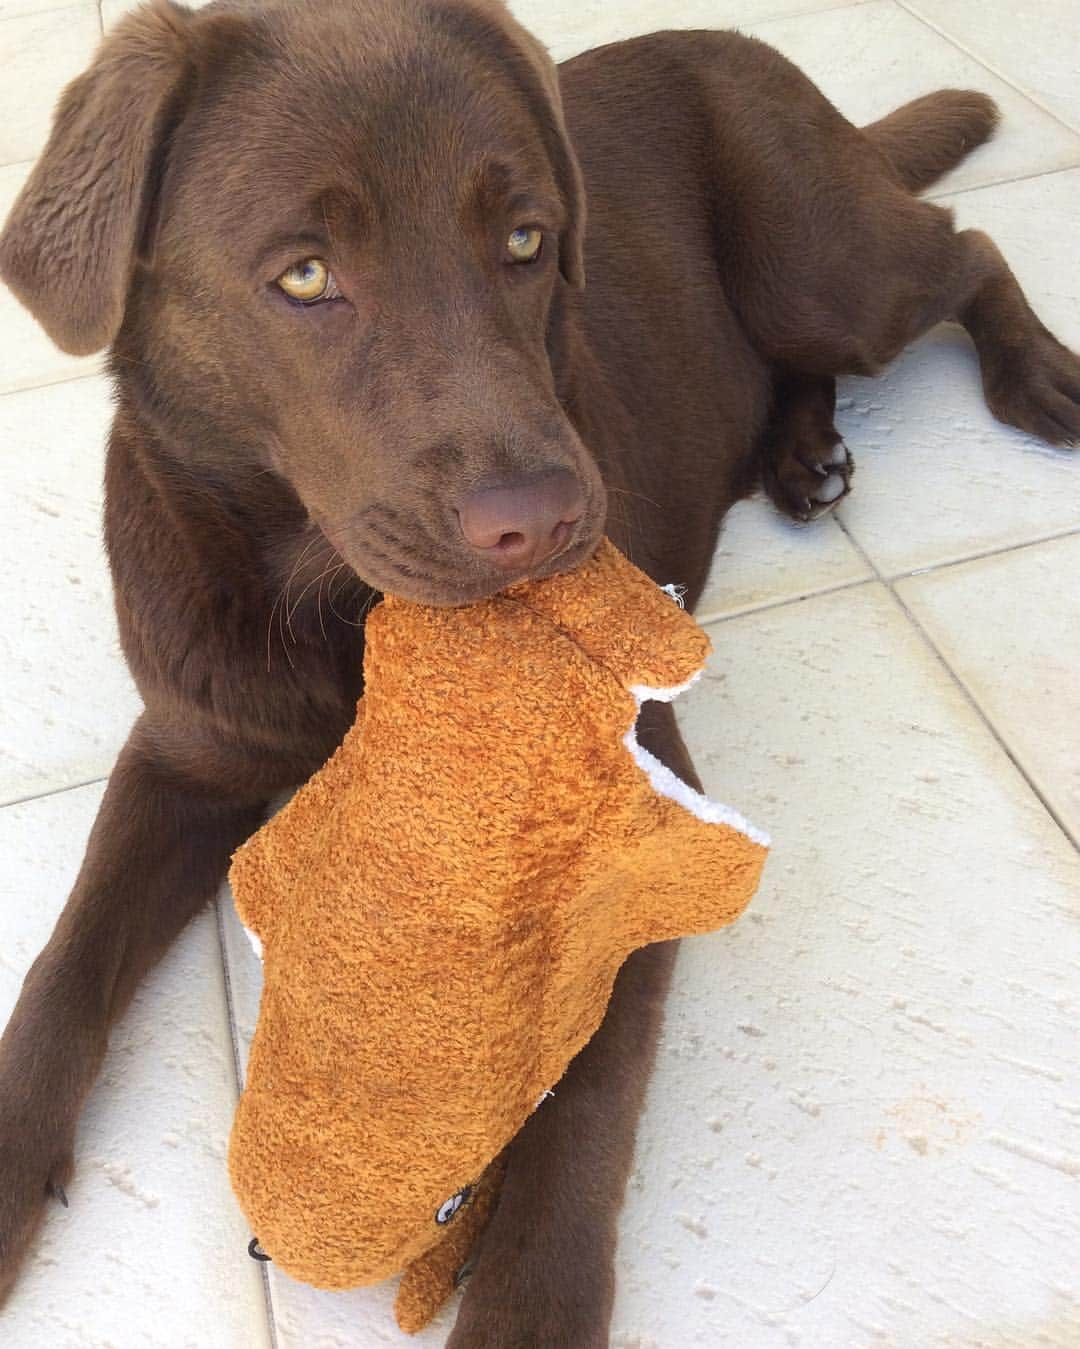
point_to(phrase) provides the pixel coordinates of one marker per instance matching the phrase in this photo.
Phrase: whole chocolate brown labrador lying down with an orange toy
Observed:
(363, 339)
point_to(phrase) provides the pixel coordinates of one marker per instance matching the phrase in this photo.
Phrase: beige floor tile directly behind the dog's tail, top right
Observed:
(876, 57)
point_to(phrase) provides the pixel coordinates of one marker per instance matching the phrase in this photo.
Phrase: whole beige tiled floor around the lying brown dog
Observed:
(865, 1130)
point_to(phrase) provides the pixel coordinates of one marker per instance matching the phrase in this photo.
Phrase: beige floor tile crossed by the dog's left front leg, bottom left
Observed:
(153, 1251)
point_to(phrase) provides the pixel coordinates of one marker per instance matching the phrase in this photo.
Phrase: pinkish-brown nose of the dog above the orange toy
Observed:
(525, 523)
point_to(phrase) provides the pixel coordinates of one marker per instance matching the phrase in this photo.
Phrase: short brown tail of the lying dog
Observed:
(931, 136)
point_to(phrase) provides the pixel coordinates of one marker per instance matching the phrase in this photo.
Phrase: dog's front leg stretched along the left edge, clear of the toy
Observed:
(157, 853)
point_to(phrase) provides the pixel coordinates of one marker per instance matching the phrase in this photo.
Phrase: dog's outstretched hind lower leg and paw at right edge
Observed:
(1031, 380)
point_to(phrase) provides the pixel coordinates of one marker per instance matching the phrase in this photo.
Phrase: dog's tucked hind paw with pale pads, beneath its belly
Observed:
(806, 466)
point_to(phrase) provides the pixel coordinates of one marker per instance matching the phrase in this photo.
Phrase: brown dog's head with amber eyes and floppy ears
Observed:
(334, 243)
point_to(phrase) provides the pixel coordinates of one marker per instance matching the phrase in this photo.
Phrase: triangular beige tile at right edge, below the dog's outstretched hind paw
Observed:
(1011, 629)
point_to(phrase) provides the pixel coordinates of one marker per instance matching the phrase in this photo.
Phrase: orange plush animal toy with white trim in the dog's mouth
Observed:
(446, 906)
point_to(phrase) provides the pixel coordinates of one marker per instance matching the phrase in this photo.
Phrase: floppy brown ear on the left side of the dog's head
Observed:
(71, 242)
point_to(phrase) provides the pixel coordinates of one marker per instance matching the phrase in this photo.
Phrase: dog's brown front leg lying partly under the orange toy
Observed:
(544, 1271)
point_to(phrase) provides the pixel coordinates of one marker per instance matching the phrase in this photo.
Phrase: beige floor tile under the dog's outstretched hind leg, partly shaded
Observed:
(939, 478)
